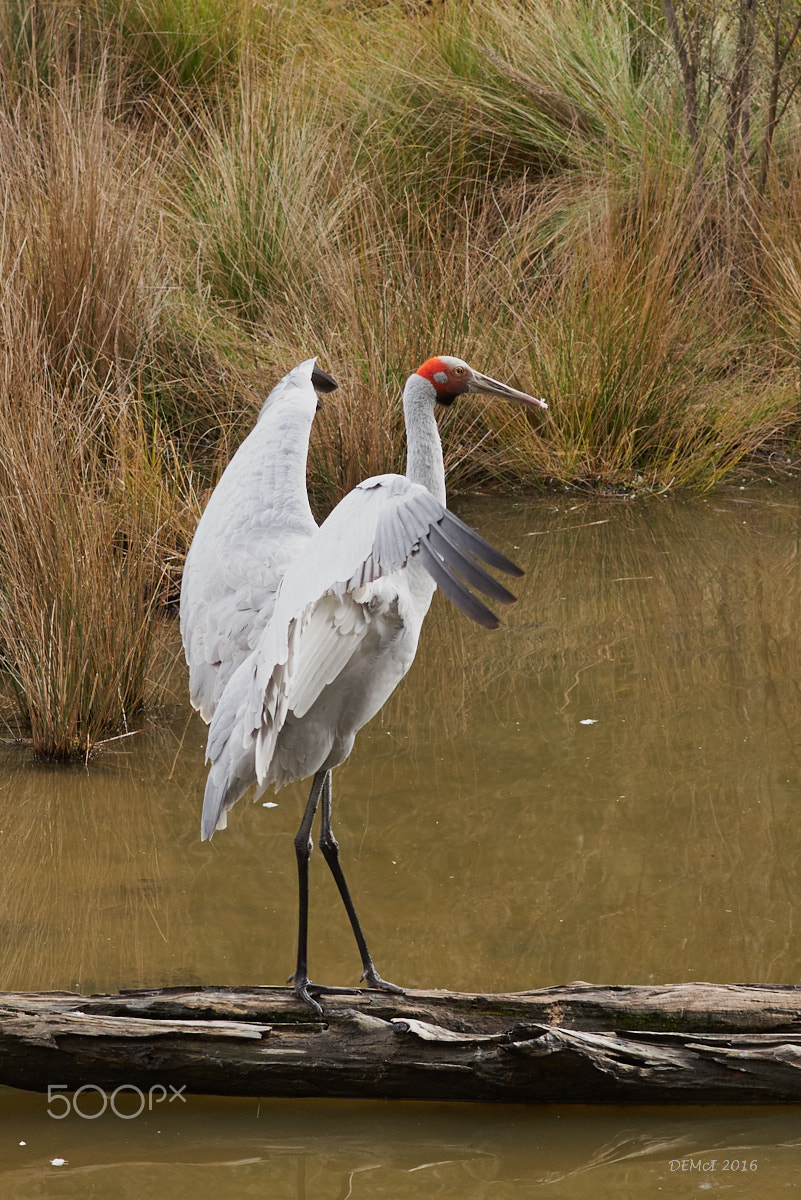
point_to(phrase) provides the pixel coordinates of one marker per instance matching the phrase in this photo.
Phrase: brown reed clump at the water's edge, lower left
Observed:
(77, 598)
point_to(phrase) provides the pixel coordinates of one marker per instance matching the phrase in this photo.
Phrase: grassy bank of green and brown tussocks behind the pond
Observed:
(198, 195)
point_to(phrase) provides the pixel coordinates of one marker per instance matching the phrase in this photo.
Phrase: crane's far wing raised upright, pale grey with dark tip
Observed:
(256, 524)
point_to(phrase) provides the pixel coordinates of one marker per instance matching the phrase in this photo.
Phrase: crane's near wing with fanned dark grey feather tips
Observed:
(341, 599)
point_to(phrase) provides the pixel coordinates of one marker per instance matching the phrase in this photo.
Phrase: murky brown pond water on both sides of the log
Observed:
(609, 789)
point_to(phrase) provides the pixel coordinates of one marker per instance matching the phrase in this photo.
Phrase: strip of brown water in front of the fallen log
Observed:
(308, 1151)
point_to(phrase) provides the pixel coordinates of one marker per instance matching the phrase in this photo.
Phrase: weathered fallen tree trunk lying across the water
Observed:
(691, 1043)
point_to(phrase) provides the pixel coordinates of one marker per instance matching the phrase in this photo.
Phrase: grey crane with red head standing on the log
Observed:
(296, 635)
